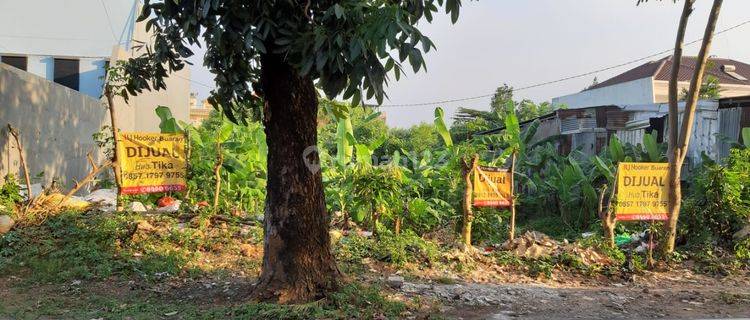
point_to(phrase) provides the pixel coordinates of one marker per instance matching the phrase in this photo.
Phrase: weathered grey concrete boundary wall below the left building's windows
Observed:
(55, 123)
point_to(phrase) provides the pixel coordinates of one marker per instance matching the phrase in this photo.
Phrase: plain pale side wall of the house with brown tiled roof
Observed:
(639, 91)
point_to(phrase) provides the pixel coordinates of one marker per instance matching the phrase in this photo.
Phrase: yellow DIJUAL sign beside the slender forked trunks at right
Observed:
(642, 191)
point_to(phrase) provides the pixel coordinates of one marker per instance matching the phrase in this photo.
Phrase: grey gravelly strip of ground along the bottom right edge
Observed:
(632, 302)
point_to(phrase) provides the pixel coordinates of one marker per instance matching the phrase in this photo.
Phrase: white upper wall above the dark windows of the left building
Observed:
(69, 28)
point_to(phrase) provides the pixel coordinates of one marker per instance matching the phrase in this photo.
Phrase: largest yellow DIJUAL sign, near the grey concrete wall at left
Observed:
(152, 162)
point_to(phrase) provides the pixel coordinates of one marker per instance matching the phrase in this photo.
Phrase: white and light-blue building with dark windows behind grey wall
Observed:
(71, 43)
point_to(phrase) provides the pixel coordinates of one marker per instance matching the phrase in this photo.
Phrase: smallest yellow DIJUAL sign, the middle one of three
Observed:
(492, 187)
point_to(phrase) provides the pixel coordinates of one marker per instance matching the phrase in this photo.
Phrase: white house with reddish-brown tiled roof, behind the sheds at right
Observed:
(647, 83)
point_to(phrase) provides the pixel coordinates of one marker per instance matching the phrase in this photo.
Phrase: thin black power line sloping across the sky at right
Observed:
(561, 79)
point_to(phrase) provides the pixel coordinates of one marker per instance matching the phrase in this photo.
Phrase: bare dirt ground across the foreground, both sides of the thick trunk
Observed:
(485, 289)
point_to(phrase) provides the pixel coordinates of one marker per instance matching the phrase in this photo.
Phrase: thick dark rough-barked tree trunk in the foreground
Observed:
(298, 265)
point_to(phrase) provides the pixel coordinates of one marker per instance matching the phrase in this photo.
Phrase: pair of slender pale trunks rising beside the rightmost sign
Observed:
(678, 144)
